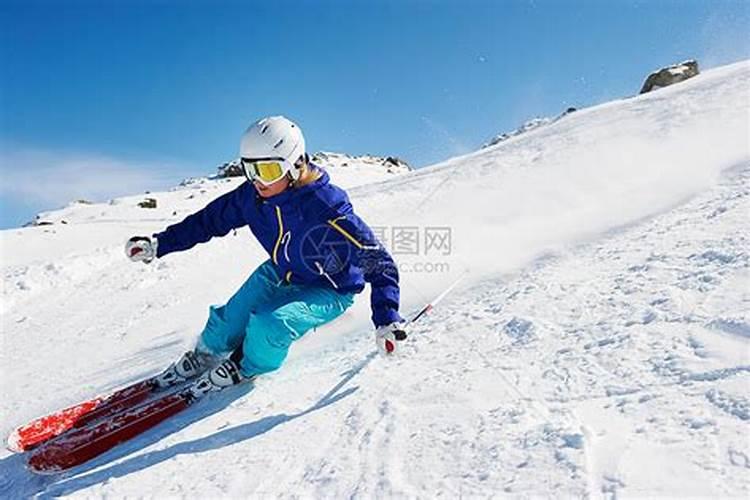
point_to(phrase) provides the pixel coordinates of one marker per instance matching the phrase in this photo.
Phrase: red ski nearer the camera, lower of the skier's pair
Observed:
(80, 445)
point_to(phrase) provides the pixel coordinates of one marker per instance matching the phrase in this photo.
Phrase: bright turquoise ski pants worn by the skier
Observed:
(265, 316)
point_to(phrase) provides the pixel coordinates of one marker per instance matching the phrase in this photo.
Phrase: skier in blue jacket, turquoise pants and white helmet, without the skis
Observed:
(321, 254)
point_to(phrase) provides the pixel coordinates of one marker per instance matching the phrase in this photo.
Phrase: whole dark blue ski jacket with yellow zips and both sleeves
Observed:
(312, 235)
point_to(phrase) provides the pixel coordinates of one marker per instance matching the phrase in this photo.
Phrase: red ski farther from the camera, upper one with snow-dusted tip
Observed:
(44, 428)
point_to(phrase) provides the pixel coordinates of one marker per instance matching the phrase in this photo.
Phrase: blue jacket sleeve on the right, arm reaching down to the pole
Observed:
(376, 264)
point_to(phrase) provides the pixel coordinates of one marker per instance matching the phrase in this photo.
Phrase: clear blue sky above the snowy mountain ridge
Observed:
(104, 98)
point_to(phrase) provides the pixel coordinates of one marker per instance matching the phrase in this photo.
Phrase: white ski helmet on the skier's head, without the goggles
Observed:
(275, 137)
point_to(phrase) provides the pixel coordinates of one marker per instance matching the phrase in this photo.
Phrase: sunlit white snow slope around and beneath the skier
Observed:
(598, 345)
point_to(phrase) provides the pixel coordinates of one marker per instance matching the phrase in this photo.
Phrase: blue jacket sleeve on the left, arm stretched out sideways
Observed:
(215, 219)
